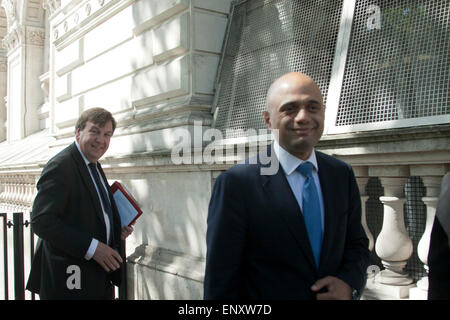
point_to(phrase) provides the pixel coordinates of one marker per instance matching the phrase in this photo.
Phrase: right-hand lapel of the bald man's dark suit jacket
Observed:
(328, 191)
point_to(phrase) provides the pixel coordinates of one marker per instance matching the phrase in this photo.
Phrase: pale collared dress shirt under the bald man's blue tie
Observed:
(295, 179)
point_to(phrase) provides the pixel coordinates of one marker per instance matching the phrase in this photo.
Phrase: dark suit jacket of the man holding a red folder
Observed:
(66, 215)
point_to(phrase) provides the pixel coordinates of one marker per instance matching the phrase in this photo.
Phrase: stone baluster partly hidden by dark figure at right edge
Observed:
(431, 178)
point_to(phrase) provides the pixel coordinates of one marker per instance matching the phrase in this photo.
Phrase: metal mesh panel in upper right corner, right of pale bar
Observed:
(400, 70)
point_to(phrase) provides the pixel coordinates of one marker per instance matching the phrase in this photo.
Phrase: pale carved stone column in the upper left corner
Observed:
(24, 44)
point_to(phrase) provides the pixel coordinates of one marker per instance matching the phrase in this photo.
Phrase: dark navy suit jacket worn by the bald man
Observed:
(257, 243)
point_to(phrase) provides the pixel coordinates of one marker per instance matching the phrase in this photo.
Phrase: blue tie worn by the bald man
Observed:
(311, 209)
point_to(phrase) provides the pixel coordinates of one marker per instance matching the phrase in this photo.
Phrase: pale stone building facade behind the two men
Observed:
(166, 69)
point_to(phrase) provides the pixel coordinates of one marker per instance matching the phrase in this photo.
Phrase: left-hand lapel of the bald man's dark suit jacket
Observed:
(285, 205)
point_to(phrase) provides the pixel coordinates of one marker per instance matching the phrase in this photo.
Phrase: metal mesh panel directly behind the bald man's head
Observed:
(266, 40)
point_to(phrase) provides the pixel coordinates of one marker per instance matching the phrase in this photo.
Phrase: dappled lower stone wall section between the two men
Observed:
(167, 249)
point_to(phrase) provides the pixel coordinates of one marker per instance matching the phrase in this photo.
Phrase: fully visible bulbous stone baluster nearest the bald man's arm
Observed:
(393, 245)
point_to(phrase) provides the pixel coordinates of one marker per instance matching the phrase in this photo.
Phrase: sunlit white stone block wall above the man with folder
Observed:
(146, 61)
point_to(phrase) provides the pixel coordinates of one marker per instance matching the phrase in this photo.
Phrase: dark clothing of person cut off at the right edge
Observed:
(439, 254)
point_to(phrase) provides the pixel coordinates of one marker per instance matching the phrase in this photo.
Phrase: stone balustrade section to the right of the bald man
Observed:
(393, 244)
